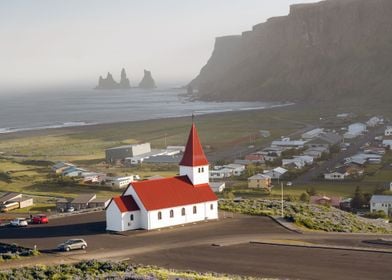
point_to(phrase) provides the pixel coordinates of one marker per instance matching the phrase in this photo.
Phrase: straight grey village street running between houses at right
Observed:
(338, 158)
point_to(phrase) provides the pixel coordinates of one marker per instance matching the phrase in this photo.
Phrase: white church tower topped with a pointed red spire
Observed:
(194, 163)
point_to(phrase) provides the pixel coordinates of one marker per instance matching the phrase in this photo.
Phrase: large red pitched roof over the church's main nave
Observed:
(171, 192)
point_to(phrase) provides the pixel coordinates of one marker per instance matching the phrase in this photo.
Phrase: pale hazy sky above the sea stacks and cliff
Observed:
(72, 42)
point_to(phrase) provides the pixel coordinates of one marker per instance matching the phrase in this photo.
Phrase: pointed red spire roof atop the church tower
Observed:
(194, 154)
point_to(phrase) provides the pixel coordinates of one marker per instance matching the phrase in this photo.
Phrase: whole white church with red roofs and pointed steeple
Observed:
(159, 203)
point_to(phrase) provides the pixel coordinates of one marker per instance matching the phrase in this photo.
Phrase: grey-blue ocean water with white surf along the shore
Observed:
(66, 108)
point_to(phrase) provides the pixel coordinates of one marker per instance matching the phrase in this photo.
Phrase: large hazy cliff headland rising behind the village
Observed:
(332, 51)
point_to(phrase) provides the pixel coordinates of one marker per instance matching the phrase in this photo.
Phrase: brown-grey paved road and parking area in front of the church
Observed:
(190, 247)
